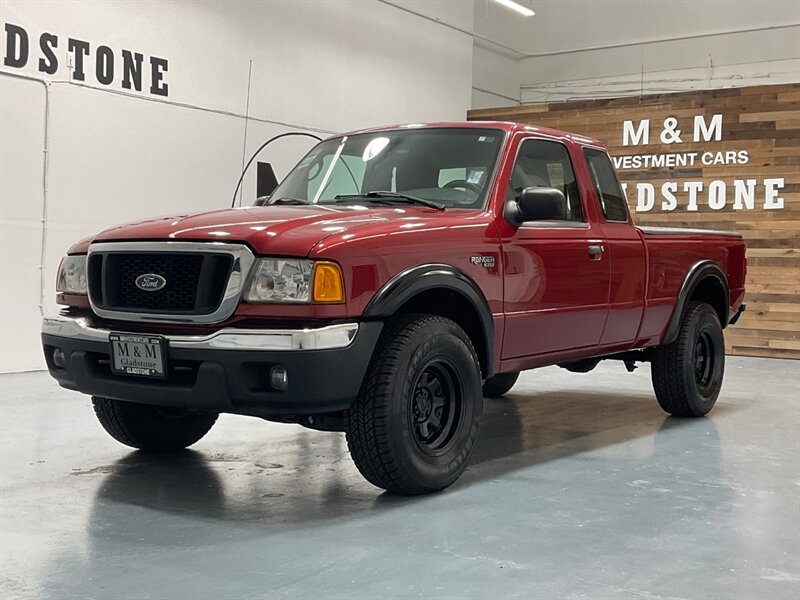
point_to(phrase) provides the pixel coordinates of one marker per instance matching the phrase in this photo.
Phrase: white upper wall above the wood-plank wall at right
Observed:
(562, 53)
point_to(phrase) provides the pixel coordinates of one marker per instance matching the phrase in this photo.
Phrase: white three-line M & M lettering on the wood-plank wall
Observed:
(744, 193)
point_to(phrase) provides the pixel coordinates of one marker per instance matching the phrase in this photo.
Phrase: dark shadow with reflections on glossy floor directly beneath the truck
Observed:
(310, 478)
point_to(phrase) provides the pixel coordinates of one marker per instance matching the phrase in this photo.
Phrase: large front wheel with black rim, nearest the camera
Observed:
(412, 428)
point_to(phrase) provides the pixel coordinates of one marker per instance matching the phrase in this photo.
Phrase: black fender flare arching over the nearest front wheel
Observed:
(415, 280)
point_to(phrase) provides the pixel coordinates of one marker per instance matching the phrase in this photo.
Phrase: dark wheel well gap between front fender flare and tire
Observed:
(454, 306)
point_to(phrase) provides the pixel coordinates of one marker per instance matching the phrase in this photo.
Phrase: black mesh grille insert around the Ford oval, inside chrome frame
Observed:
(195, 281)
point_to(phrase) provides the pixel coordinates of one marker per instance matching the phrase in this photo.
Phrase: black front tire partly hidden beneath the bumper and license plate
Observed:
(152, 428)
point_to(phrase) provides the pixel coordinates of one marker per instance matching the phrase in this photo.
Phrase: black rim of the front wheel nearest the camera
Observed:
(436, 406)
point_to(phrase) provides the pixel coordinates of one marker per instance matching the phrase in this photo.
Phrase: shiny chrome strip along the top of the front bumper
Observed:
(323, 338)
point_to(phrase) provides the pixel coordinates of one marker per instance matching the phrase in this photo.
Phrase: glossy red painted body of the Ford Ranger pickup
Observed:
(549, 301)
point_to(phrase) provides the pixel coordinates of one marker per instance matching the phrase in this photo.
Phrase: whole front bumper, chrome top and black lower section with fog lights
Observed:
(226, 371)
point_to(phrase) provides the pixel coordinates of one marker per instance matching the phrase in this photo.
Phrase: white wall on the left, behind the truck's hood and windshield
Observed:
(317, 65)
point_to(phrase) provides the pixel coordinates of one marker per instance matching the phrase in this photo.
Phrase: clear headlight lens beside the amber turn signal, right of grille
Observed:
(280, 280)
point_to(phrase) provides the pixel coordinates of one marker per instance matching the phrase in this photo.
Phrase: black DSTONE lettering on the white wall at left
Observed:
(86, 61)
